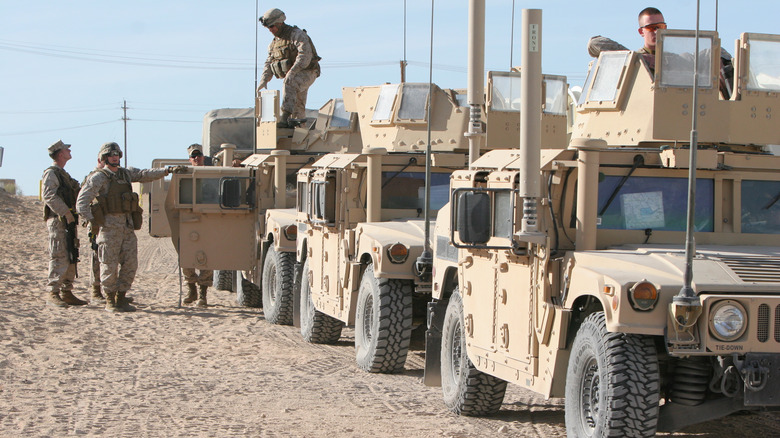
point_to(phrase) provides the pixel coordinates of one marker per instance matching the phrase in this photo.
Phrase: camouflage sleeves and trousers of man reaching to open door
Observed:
(117, 243)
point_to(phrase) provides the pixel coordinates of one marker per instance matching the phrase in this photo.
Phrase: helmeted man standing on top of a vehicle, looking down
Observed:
(291, 56)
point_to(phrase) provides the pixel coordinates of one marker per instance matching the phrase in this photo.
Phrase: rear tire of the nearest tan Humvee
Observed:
(466, 390)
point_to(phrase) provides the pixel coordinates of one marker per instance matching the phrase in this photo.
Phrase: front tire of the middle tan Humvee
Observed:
(383, 323)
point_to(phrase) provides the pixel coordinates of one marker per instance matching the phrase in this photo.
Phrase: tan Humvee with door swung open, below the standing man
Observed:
(217, 214)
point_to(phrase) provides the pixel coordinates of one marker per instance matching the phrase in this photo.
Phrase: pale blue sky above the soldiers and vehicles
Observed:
(68, 66)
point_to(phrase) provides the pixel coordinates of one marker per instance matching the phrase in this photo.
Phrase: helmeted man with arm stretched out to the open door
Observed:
(117, 215)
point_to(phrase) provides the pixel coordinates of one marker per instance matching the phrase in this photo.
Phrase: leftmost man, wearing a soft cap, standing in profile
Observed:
(59, 196)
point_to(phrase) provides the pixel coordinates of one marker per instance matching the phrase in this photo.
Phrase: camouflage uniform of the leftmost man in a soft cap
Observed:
(59, 195)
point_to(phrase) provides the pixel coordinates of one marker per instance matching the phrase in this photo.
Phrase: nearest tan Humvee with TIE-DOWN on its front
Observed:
(563, 270)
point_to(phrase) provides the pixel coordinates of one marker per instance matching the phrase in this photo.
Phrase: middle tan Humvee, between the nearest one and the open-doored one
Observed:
(361, 216)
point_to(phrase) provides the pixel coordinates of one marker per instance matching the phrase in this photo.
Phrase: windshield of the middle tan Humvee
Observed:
(407, 190)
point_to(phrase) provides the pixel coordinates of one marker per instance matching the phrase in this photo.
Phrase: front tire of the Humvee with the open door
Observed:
(278, 286)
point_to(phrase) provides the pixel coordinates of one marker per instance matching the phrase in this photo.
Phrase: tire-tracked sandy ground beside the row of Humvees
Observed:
(222, 371)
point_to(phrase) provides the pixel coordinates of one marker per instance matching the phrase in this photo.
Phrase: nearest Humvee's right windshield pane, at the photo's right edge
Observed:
(760, 207)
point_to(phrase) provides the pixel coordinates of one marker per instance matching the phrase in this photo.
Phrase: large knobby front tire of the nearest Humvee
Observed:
(612, 383)
